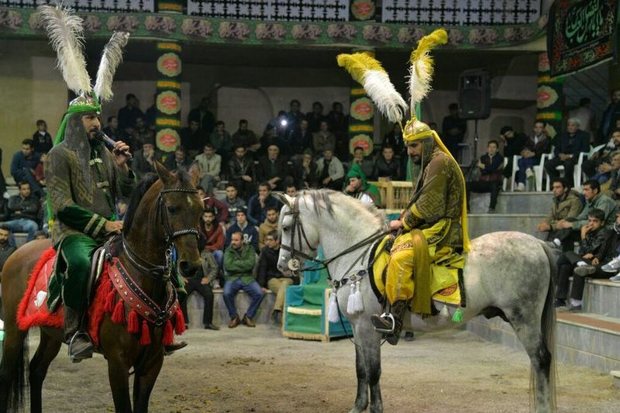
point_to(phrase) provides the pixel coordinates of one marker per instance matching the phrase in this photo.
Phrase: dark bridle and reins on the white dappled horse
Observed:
(298, 229)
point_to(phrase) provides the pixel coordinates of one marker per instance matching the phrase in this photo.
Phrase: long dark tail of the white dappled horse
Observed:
(548, 322)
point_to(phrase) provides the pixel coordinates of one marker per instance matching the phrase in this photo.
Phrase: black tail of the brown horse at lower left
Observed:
(13, 369)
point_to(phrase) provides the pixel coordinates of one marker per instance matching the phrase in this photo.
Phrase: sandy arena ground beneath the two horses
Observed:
(257, 370)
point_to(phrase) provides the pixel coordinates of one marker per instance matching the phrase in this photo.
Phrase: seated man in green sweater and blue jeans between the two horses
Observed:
(239, 261)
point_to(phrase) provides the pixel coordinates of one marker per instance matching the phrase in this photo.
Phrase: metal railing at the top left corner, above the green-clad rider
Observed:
(89, 5)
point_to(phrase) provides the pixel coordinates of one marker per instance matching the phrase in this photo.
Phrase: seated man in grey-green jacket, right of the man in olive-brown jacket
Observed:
(594, 200)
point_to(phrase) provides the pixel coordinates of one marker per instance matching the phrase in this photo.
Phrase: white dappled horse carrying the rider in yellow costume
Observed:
(507, 274)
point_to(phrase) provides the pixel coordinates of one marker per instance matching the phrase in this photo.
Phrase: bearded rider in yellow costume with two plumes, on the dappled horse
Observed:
(434, 225)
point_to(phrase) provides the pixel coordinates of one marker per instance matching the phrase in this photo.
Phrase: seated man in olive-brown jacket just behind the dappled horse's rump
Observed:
(566, 206)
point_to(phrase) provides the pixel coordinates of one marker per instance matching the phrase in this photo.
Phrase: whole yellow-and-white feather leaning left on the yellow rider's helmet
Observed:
(368, 71)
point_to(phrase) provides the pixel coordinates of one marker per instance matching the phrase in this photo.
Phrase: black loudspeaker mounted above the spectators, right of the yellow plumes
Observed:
(474, 94)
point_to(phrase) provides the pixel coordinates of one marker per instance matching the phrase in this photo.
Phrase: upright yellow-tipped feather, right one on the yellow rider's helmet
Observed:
(421, 72)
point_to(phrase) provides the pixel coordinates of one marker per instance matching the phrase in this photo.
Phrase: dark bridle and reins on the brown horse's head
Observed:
(157, 271)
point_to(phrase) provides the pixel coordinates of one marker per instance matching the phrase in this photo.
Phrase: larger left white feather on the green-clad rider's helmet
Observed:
(65, 33)
